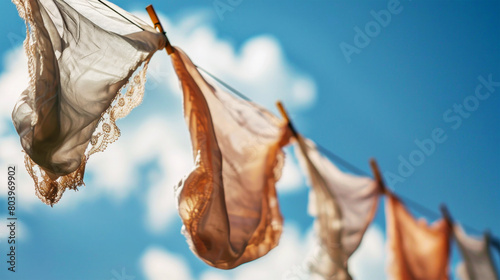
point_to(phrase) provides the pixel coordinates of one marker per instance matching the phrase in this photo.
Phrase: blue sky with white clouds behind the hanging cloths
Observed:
(399, 86)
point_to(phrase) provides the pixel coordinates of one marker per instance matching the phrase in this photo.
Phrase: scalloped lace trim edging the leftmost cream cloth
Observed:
(106, 132)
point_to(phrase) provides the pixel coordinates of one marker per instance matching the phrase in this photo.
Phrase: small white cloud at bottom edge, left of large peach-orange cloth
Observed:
(158, 264)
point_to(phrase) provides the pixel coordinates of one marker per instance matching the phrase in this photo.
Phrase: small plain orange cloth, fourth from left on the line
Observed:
(418, 251)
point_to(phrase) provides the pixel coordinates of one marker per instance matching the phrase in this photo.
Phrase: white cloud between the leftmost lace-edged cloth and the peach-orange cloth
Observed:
(120, 170)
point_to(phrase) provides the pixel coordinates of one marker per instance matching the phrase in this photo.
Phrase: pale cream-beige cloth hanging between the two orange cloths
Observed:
(343, 204)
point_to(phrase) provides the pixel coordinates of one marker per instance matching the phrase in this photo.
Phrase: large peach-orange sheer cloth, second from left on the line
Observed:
(228, 202)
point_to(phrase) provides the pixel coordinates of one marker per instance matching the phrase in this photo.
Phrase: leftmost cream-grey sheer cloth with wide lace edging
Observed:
(81, 54)
